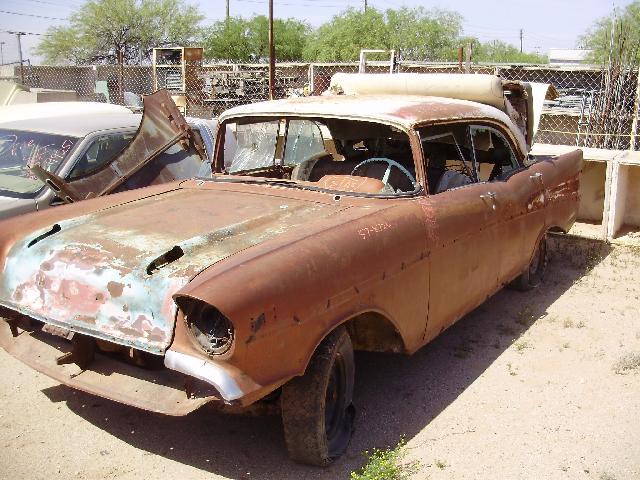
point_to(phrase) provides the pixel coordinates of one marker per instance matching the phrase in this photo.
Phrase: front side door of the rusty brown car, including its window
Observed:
(462, 228)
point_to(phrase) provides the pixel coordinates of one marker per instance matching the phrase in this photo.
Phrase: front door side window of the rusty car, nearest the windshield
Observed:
(448, 157)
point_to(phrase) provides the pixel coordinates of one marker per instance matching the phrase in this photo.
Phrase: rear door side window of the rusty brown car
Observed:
(493, 155)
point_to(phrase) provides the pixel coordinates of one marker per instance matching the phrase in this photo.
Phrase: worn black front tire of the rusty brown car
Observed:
(317, 413)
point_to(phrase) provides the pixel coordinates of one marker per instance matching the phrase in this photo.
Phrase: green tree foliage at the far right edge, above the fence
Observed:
(623, 47)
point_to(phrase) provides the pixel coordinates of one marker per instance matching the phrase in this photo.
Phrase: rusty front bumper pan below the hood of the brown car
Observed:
(164, 391)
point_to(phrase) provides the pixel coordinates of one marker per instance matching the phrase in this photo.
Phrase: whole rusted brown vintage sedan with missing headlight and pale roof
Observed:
(366, 222)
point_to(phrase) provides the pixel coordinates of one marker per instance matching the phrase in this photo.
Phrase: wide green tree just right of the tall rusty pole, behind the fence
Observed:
(415, 33)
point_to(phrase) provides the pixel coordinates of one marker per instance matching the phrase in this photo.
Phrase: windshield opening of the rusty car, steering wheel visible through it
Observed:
(341, 155)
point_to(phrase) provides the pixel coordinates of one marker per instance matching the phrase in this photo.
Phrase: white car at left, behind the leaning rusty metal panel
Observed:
(72, 145)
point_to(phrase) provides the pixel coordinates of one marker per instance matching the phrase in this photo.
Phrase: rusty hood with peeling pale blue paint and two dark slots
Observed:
(111, 274)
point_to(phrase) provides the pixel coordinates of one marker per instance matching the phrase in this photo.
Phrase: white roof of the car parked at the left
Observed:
(74, 125)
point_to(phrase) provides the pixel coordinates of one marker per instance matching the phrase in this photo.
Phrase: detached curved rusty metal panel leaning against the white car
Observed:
(161, 127)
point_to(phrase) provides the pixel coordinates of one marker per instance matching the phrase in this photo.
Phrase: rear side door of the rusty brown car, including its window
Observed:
(519, 198)
